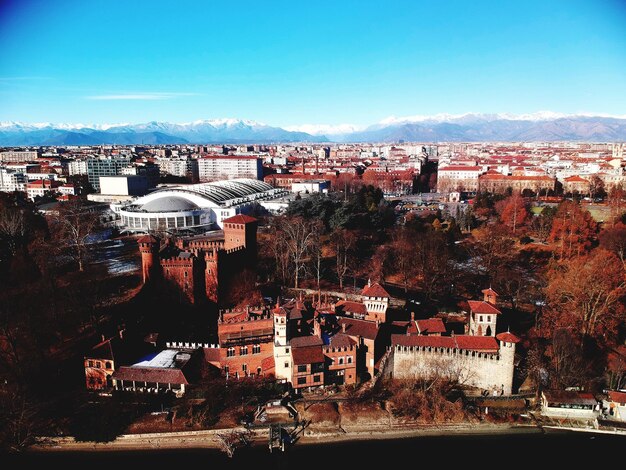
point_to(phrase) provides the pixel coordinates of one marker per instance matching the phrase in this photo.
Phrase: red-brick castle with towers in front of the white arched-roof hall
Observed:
(200, 267)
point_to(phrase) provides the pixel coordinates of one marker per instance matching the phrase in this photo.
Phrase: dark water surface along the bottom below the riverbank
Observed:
(509, 451)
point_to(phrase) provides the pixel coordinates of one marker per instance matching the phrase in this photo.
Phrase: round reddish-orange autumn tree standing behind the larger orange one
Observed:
(573, 229)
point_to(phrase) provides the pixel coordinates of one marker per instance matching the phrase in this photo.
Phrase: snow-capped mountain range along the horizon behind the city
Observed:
(470, 127)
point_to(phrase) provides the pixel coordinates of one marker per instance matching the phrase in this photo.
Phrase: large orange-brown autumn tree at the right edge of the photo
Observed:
(586, 293)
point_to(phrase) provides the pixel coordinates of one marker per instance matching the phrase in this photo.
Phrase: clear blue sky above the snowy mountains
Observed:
(289, 62)
